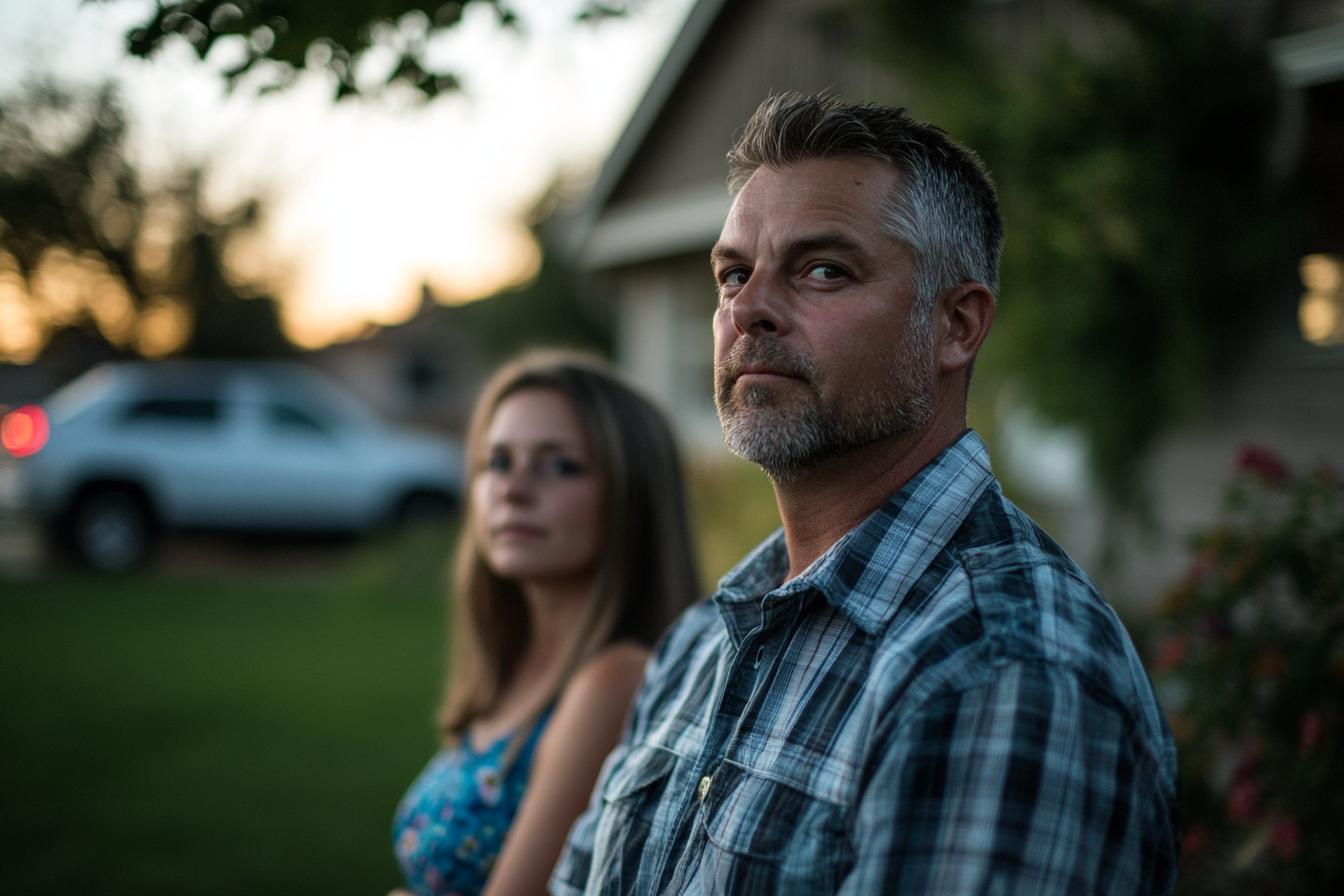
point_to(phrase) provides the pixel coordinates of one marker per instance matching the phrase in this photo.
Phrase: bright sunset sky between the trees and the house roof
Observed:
(369, 199)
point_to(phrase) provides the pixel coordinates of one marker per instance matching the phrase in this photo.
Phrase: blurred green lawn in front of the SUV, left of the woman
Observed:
(217, 735)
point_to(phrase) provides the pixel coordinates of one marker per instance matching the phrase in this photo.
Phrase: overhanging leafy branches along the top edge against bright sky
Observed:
(329, 36)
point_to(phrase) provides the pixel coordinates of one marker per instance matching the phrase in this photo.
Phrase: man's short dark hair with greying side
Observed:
(944, 210)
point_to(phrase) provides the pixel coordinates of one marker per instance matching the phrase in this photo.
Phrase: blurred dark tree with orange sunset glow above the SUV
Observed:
(85, 244)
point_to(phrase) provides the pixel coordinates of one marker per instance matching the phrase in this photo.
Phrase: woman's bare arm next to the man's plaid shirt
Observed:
(584, 730)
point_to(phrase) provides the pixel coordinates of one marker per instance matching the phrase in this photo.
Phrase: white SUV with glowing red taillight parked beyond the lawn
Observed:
(135, 448)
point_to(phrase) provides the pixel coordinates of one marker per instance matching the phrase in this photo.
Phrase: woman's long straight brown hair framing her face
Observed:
(647, 572)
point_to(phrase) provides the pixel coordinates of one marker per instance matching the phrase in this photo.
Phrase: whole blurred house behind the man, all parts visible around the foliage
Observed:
(661, 202)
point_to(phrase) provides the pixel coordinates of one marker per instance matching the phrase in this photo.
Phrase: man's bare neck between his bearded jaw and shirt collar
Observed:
(821, 507)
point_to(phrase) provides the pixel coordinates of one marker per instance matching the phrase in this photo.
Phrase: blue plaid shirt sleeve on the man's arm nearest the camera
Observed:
(1034, 782)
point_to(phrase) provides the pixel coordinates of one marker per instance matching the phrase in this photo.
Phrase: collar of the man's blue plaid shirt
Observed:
(869, 572)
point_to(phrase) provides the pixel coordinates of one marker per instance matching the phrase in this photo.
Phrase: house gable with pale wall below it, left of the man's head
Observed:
(662, 198)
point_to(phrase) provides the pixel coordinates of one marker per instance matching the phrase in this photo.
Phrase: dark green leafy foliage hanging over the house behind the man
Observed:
(1144, 230)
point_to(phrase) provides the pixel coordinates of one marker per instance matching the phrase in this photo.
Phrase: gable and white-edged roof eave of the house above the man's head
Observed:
(662, 191)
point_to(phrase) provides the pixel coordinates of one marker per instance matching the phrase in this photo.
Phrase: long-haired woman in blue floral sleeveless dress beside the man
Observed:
(575, 557)
